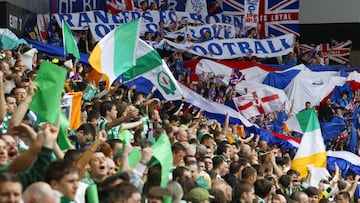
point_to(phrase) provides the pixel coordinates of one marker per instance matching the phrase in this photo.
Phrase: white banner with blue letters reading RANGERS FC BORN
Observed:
(81, 20)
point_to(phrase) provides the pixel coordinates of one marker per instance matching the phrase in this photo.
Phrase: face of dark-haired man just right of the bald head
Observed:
(68, 185)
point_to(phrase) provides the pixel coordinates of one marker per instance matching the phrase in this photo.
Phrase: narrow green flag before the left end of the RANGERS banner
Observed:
(70, 46)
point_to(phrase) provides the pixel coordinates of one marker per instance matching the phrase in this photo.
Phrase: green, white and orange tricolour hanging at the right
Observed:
(312, 149)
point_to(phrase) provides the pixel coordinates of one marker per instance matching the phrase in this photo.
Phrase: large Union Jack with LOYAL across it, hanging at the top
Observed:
(276, 17)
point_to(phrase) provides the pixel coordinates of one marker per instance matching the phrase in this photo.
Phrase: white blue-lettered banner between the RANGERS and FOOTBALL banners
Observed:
(216, 30)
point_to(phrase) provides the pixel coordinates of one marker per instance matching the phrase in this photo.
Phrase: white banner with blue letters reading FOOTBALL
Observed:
(238, 47)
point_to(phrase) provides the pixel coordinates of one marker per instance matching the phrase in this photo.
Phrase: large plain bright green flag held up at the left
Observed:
(47, 99)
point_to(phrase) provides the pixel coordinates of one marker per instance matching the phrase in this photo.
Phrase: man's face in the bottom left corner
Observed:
(10, 192)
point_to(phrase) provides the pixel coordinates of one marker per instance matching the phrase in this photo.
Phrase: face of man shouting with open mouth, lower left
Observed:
(98, 167)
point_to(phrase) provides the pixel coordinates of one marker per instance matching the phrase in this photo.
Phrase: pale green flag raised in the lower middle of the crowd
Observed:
(162, 152)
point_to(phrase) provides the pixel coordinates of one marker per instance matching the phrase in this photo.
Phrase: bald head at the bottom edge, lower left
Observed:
(39, 192)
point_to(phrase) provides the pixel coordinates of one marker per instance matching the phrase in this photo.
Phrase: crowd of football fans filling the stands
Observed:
(212, 162)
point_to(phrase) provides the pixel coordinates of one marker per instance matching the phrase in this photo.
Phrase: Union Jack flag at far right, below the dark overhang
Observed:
(337, 52)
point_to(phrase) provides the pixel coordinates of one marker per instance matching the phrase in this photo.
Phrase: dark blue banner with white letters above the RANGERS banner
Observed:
(72, 6)
